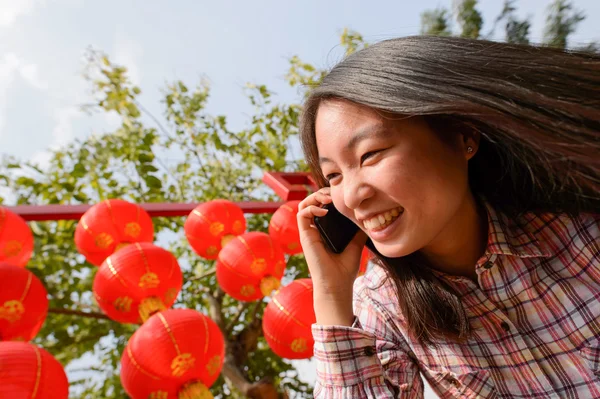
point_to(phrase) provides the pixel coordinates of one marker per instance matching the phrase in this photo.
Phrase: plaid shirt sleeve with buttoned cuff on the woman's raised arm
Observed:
(368, 360)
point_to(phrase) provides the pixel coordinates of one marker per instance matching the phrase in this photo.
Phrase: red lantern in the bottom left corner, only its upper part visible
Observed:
(27, 371)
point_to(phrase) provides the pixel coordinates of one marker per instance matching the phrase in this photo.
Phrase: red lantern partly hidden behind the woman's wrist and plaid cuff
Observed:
(288, 319)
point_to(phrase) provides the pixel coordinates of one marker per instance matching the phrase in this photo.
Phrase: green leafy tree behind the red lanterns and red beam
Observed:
(135, 163)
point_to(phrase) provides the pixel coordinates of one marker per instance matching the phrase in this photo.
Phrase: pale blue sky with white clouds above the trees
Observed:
(229, 43)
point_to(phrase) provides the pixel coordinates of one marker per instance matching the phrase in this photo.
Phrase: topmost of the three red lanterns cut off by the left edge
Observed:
(16, 239)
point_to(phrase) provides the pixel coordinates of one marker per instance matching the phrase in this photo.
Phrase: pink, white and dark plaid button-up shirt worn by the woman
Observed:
(535, 315)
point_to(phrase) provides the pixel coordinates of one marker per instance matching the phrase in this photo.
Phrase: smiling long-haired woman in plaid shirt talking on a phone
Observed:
(473, 169)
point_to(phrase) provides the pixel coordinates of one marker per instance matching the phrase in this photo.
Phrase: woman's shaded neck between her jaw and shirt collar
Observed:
(462, 242)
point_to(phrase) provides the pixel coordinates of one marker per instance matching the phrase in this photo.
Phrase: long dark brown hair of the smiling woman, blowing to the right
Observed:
(537, 110)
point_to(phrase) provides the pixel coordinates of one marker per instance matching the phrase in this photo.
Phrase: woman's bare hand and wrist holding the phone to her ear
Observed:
(332, 274)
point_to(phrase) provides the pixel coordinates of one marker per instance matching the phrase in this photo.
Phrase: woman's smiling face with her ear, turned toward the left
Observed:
(394, 177)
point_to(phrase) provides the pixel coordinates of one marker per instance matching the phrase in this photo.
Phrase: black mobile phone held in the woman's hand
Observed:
(336, 229)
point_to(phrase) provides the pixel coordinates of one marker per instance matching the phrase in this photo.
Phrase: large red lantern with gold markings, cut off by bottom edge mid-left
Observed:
(186, 356)
